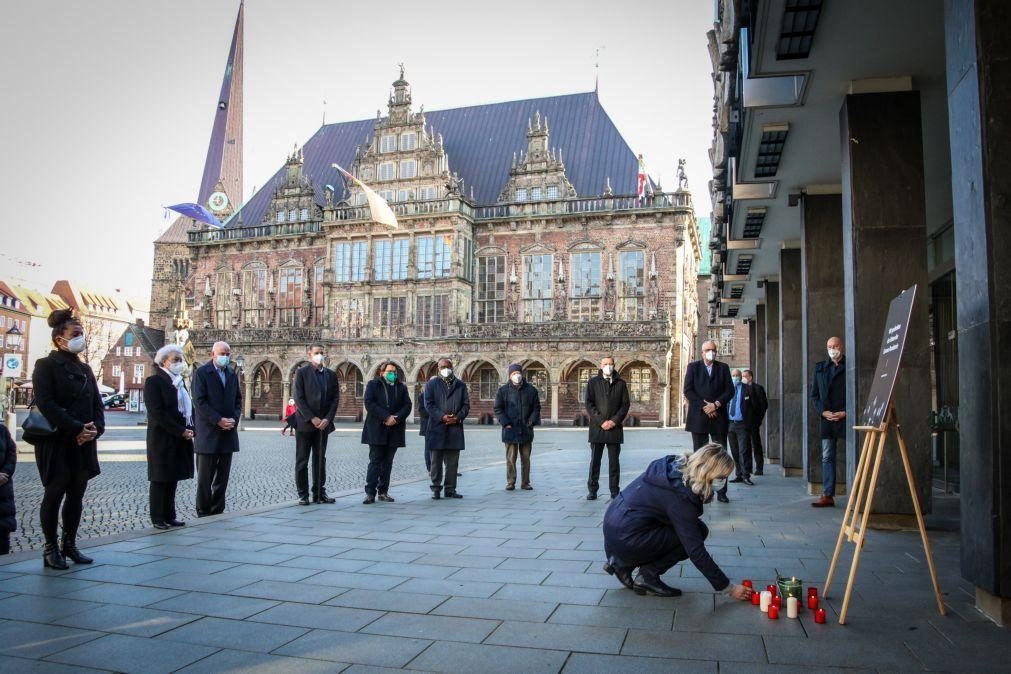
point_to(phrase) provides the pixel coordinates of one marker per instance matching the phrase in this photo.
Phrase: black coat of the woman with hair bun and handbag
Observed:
(67, 396)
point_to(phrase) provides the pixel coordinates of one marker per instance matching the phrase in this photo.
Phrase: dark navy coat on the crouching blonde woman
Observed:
(660, 499)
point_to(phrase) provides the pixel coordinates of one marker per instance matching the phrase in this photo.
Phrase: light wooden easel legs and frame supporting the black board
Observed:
(860, 505)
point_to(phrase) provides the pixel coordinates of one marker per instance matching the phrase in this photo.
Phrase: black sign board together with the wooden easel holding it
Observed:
(877, 420)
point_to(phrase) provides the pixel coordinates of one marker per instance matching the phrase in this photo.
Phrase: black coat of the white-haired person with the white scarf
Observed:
(170, 456)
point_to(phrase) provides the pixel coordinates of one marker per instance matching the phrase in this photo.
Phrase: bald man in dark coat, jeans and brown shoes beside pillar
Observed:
(829, 397)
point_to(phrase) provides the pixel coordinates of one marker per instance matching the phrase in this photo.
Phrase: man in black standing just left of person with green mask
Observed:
(317, 396)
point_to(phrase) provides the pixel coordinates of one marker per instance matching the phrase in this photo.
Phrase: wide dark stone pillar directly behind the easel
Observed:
(884, 241)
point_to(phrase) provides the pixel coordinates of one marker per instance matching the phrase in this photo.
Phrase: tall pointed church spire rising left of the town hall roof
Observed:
(223, 170)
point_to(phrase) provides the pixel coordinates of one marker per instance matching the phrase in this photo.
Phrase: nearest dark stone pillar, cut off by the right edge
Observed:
(979, 99)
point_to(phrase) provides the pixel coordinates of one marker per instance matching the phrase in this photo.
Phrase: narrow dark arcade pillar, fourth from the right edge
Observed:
(791, 364)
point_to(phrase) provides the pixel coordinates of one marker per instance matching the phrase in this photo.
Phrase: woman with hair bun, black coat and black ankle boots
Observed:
(67, 396)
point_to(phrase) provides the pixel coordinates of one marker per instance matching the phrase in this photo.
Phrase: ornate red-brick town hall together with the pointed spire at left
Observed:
(521, 240)
